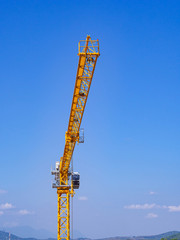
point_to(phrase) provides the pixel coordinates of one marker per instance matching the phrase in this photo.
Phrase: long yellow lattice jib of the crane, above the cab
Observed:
(88, 54)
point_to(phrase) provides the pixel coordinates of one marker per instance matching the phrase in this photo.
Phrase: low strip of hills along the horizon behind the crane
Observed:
(168, 236)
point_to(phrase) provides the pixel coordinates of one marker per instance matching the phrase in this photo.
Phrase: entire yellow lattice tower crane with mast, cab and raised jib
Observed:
(66, 180)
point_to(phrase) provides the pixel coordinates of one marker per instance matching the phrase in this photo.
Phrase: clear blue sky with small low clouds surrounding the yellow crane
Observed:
(129, 163)
